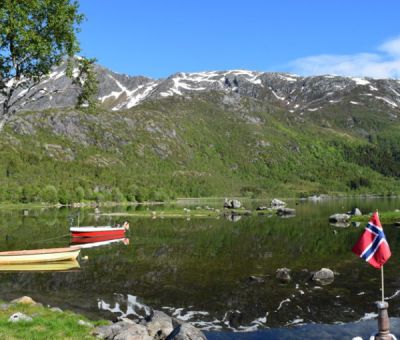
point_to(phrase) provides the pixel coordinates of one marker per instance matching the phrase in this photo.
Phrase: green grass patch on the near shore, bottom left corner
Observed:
(46, 324)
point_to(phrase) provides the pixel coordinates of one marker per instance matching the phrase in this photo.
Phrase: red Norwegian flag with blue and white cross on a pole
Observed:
(372, 245)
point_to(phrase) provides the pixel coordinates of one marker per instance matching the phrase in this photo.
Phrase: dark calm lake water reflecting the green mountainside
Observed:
(199, 269)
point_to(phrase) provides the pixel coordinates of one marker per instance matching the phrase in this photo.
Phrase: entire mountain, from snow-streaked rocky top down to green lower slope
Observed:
(232, 132)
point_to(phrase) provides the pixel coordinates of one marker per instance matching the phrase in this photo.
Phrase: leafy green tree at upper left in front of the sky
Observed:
(36, 35)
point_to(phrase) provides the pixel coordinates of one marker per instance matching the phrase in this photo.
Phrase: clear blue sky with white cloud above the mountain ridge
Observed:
(157, 38)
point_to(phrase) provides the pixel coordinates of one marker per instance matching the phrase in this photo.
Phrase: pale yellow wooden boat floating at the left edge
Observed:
(39, 255)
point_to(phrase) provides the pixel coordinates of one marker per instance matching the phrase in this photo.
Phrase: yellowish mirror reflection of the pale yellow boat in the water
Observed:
(41, 267)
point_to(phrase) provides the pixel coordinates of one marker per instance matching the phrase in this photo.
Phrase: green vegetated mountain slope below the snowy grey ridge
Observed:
(198, 146)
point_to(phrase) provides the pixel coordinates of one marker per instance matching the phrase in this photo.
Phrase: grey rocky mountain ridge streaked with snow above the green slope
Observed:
(296, 93)
